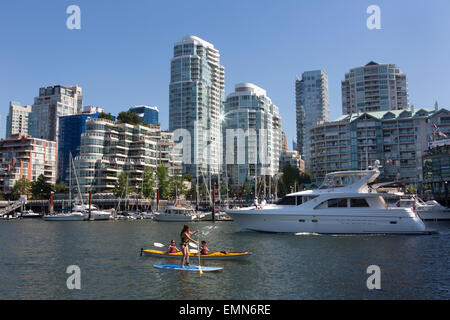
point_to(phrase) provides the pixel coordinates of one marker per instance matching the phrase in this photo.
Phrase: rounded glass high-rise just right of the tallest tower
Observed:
(252, 136)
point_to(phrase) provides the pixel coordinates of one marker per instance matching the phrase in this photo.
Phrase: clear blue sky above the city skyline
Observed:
(121, 56)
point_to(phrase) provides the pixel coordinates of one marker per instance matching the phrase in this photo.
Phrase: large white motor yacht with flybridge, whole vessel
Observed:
(344, 204)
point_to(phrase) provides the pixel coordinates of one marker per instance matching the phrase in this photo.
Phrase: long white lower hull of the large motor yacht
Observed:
(338, 222)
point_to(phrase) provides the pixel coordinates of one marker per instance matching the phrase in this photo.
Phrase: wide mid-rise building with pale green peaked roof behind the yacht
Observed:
(397, 138)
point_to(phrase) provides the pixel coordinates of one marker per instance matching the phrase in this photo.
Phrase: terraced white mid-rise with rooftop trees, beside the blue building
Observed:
(109, 147)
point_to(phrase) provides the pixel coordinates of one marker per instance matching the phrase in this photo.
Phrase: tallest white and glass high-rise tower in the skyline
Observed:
(197, 92)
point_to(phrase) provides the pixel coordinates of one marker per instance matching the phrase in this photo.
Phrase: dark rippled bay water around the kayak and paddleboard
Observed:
(34, 255)
